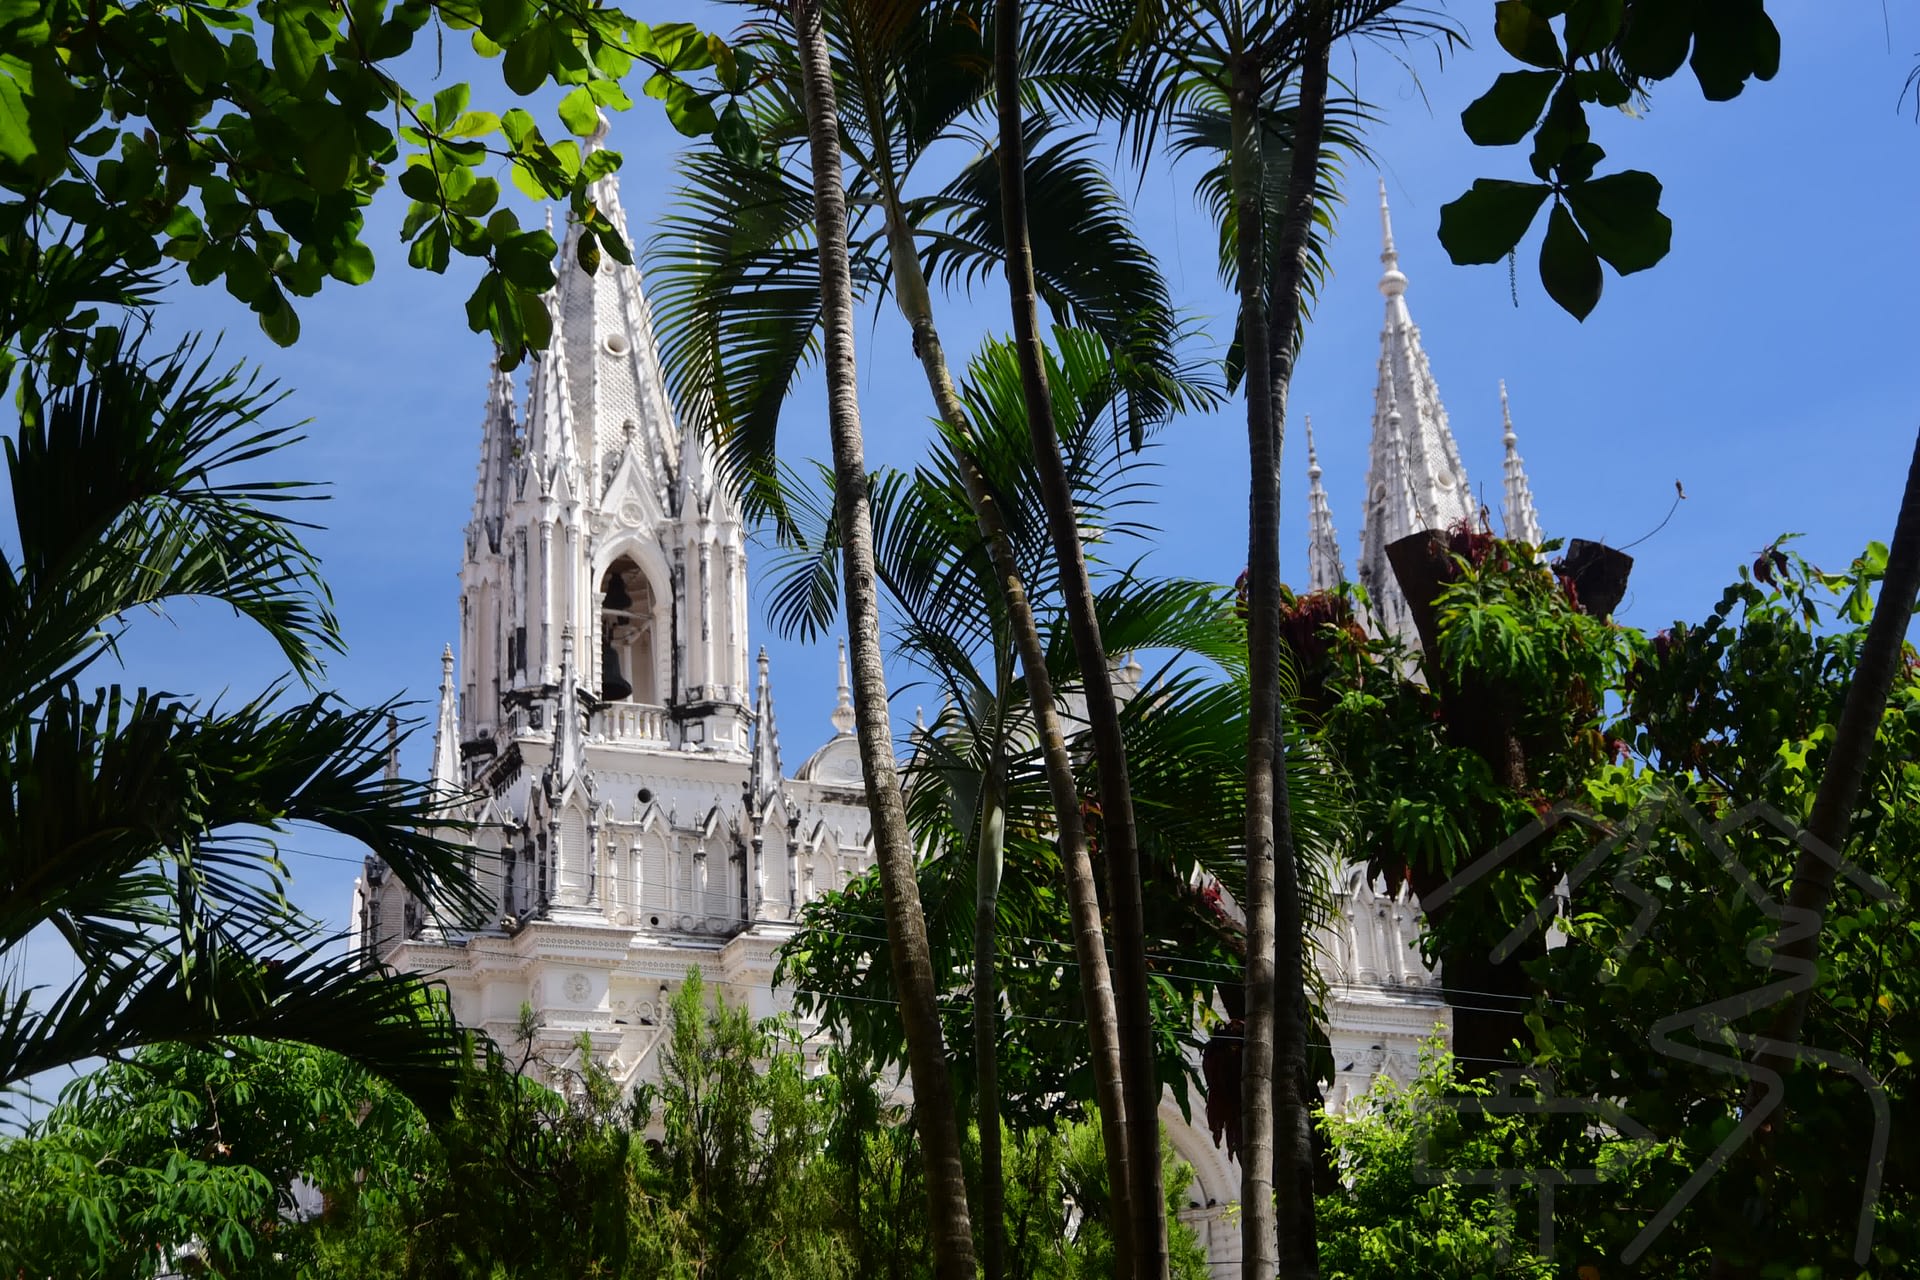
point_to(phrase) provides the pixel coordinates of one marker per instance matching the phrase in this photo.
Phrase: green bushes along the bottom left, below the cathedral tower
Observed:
(740, 1162)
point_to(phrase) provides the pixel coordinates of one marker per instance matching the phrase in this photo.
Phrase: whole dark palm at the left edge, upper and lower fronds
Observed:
(139, 826)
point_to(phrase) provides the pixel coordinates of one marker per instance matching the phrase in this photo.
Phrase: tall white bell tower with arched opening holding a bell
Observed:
(602, 554)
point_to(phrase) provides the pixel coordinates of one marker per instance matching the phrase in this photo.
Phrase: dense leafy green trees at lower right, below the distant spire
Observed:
(1692, 757)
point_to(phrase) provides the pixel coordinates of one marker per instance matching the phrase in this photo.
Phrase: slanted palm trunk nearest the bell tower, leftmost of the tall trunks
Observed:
(907, 928)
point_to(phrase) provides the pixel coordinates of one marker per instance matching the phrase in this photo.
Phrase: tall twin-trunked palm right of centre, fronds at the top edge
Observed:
(1195, 57)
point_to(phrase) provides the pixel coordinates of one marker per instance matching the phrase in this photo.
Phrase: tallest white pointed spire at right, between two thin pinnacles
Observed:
(1414, 473)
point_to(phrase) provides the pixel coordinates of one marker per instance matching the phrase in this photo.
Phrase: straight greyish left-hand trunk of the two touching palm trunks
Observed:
(1259, 1243)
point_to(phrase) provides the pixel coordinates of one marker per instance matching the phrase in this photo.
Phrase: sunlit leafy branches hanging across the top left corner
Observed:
(245, 141)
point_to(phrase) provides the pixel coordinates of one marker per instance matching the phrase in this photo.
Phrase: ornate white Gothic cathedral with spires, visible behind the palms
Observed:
(604, 726)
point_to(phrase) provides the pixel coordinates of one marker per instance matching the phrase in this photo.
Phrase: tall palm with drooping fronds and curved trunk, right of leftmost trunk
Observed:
(740, 318)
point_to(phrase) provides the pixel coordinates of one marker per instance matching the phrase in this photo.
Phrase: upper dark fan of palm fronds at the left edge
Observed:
(126, 496)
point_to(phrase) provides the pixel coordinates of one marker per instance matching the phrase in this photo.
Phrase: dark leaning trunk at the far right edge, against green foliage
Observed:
(1833, 811)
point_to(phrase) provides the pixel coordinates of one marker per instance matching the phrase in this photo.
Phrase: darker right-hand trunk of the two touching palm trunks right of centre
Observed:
(1293, 1122)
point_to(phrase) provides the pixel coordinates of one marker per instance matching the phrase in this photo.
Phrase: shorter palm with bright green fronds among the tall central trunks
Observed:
(976, 784)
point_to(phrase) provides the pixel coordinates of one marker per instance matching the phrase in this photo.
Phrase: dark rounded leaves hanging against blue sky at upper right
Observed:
(1606, 53)
